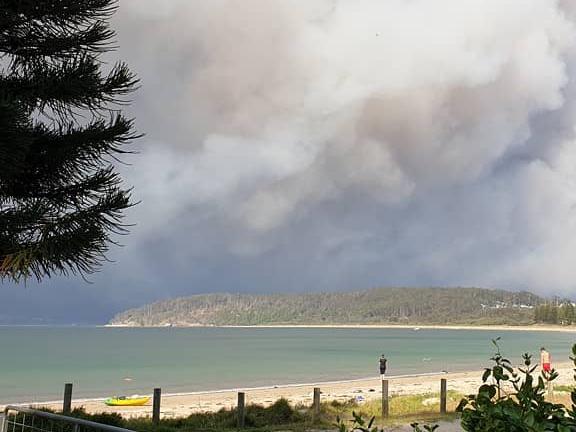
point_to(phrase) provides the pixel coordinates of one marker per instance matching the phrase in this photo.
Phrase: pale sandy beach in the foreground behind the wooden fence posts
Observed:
(184, 404)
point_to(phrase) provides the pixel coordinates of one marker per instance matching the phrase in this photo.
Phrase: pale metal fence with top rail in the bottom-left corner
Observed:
(20, 419)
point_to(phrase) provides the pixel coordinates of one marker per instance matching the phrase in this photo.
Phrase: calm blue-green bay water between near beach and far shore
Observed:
(35, 362)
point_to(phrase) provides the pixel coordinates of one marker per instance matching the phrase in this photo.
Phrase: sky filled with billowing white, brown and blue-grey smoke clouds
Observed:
(322, 145)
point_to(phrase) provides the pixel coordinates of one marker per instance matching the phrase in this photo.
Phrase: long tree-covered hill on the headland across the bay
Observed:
(374, 306)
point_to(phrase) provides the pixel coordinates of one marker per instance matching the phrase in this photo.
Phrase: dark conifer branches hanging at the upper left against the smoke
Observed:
(61, 131)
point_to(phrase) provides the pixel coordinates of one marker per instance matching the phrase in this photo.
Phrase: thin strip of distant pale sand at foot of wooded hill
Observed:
(535, 327)
